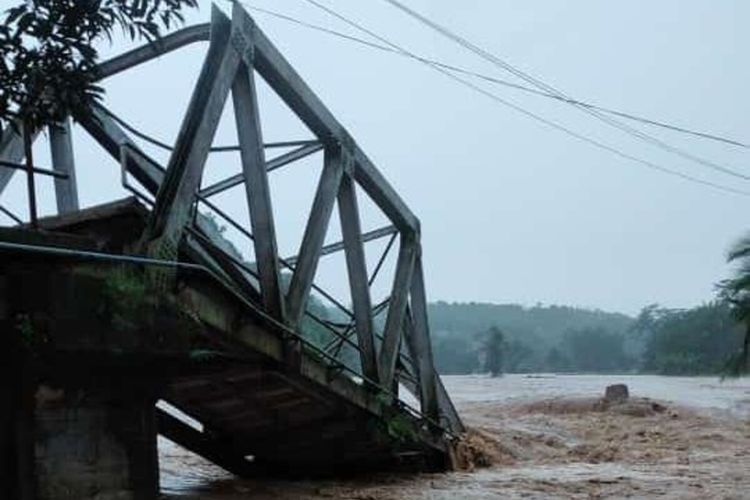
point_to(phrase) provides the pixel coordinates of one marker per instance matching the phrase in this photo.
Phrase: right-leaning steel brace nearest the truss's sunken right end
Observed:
(390, 347)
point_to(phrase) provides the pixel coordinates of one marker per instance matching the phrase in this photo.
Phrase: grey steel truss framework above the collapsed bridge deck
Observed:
(237, 49)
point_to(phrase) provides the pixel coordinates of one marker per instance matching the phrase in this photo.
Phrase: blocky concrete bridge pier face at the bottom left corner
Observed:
(95, 445)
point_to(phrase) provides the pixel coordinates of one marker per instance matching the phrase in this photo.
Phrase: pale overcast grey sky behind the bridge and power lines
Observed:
(511, 210)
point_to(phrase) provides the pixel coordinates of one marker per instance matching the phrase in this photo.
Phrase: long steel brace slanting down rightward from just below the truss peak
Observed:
(255, 174)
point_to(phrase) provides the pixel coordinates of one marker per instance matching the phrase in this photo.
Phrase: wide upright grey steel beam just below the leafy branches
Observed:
(61, 146)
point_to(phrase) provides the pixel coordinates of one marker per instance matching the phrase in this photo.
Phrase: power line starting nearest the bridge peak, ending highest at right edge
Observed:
(499, 81)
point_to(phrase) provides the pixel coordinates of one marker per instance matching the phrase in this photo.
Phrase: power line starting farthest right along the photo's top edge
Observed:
(487, 56)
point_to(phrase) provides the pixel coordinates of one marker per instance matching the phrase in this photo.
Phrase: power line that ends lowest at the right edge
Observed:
(530, 114)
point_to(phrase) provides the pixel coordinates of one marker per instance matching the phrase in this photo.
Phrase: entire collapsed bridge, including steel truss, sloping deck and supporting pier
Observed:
(108, 309)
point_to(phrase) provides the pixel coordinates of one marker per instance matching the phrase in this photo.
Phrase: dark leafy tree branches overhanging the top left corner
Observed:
(49, 64)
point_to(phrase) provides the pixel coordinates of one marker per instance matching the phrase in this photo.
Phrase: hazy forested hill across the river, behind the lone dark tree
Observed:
(539, 338)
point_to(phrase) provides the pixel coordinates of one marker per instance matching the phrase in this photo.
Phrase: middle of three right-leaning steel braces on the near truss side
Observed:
(315, 232)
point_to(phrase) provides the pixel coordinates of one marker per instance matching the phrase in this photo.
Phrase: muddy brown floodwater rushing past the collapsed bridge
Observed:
(185, 476)
